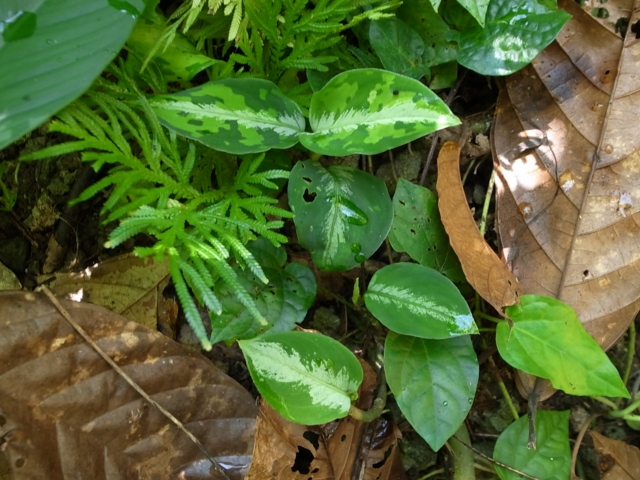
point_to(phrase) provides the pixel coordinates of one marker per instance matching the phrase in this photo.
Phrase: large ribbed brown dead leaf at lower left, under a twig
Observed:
(69, 415)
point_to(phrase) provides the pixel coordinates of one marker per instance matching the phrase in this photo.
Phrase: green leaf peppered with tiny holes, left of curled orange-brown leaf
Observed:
(417, 230)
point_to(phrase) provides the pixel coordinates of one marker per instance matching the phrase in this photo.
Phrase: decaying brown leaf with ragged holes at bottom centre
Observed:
(334, 451)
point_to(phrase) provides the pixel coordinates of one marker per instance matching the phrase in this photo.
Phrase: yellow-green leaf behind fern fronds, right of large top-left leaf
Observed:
(180, 61)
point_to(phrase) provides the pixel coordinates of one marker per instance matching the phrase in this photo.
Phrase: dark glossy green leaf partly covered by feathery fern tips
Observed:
(284, 301)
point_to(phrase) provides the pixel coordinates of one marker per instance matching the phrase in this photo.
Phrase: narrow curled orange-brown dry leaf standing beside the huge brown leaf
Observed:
(482, 267)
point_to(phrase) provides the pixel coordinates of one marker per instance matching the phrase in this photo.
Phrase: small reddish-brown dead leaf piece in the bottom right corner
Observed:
(618, 460)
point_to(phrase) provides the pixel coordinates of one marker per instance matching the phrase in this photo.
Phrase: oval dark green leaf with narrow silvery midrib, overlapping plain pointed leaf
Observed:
(415, 300)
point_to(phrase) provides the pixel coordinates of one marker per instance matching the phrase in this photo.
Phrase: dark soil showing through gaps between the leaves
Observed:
(45, 187)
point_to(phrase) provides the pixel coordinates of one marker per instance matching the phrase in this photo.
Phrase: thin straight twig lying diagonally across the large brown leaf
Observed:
(128, 379)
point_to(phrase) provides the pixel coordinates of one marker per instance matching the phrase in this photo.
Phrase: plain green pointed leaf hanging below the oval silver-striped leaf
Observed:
(433, 381)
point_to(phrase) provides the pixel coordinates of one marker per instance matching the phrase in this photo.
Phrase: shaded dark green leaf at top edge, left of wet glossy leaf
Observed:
(439, 39)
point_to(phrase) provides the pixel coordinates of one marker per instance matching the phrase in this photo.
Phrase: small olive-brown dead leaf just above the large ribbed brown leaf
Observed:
(128, 285)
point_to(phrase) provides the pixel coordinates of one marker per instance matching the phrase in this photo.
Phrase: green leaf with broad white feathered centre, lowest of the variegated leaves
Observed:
(308, 378)
